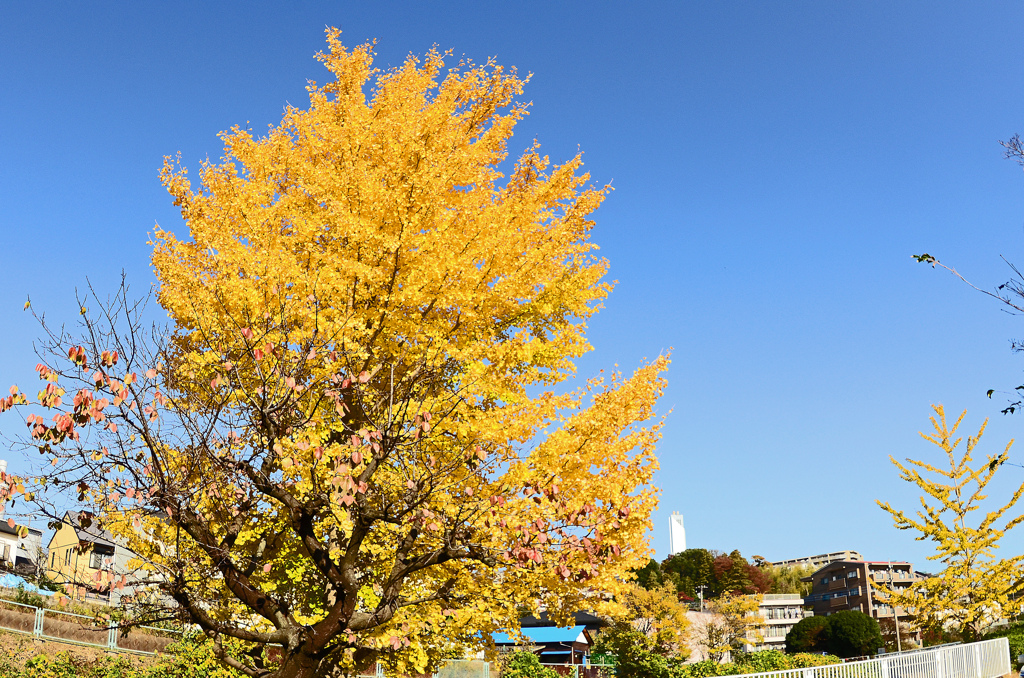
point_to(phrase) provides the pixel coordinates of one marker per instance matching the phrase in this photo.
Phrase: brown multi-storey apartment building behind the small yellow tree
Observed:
(846, 585)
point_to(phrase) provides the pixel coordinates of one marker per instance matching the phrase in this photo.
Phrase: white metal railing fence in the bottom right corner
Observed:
(989, 659)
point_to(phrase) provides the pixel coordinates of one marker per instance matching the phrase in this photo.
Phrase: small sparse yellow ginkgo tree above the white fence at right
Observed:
(976, 587)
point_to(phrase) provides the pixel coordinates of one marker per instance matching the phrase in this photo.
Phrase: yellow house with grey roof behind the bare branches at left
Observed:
(83, 557)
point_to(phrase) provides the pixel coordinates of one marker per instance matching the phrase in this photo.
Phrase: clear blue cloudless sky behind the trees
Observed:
(776, 166)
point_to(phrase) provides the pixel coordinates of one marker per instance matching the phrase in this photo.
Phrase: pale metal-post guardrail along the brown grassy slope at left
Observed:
(82, 630)
